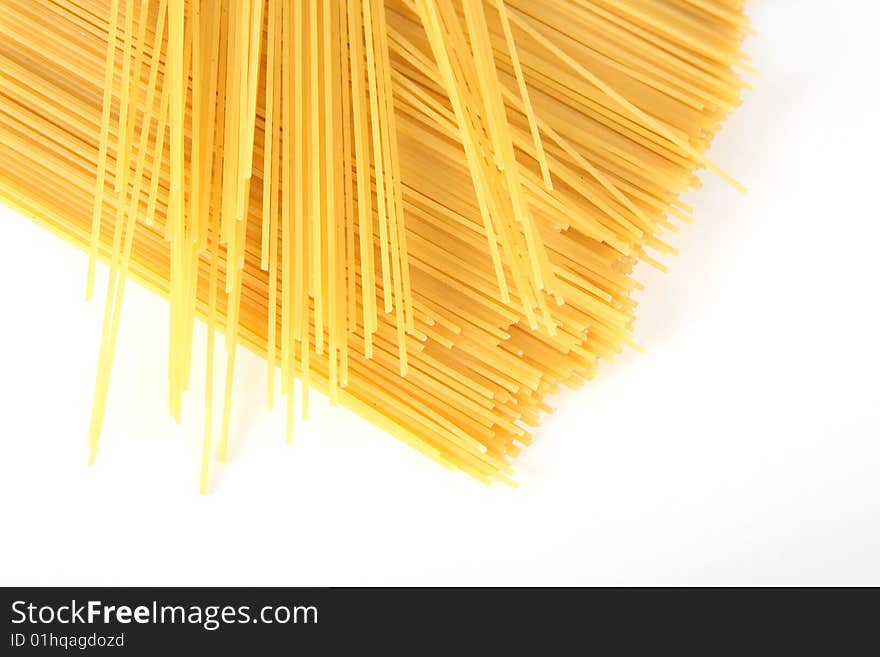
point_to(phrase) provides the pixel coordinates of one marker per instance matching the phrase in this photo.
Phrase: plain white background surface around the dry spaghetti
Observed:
(744, 448)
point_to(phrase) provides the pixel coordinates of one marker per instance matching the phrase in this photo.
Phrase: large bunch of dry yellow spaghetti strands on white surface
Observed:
(427, 209)
